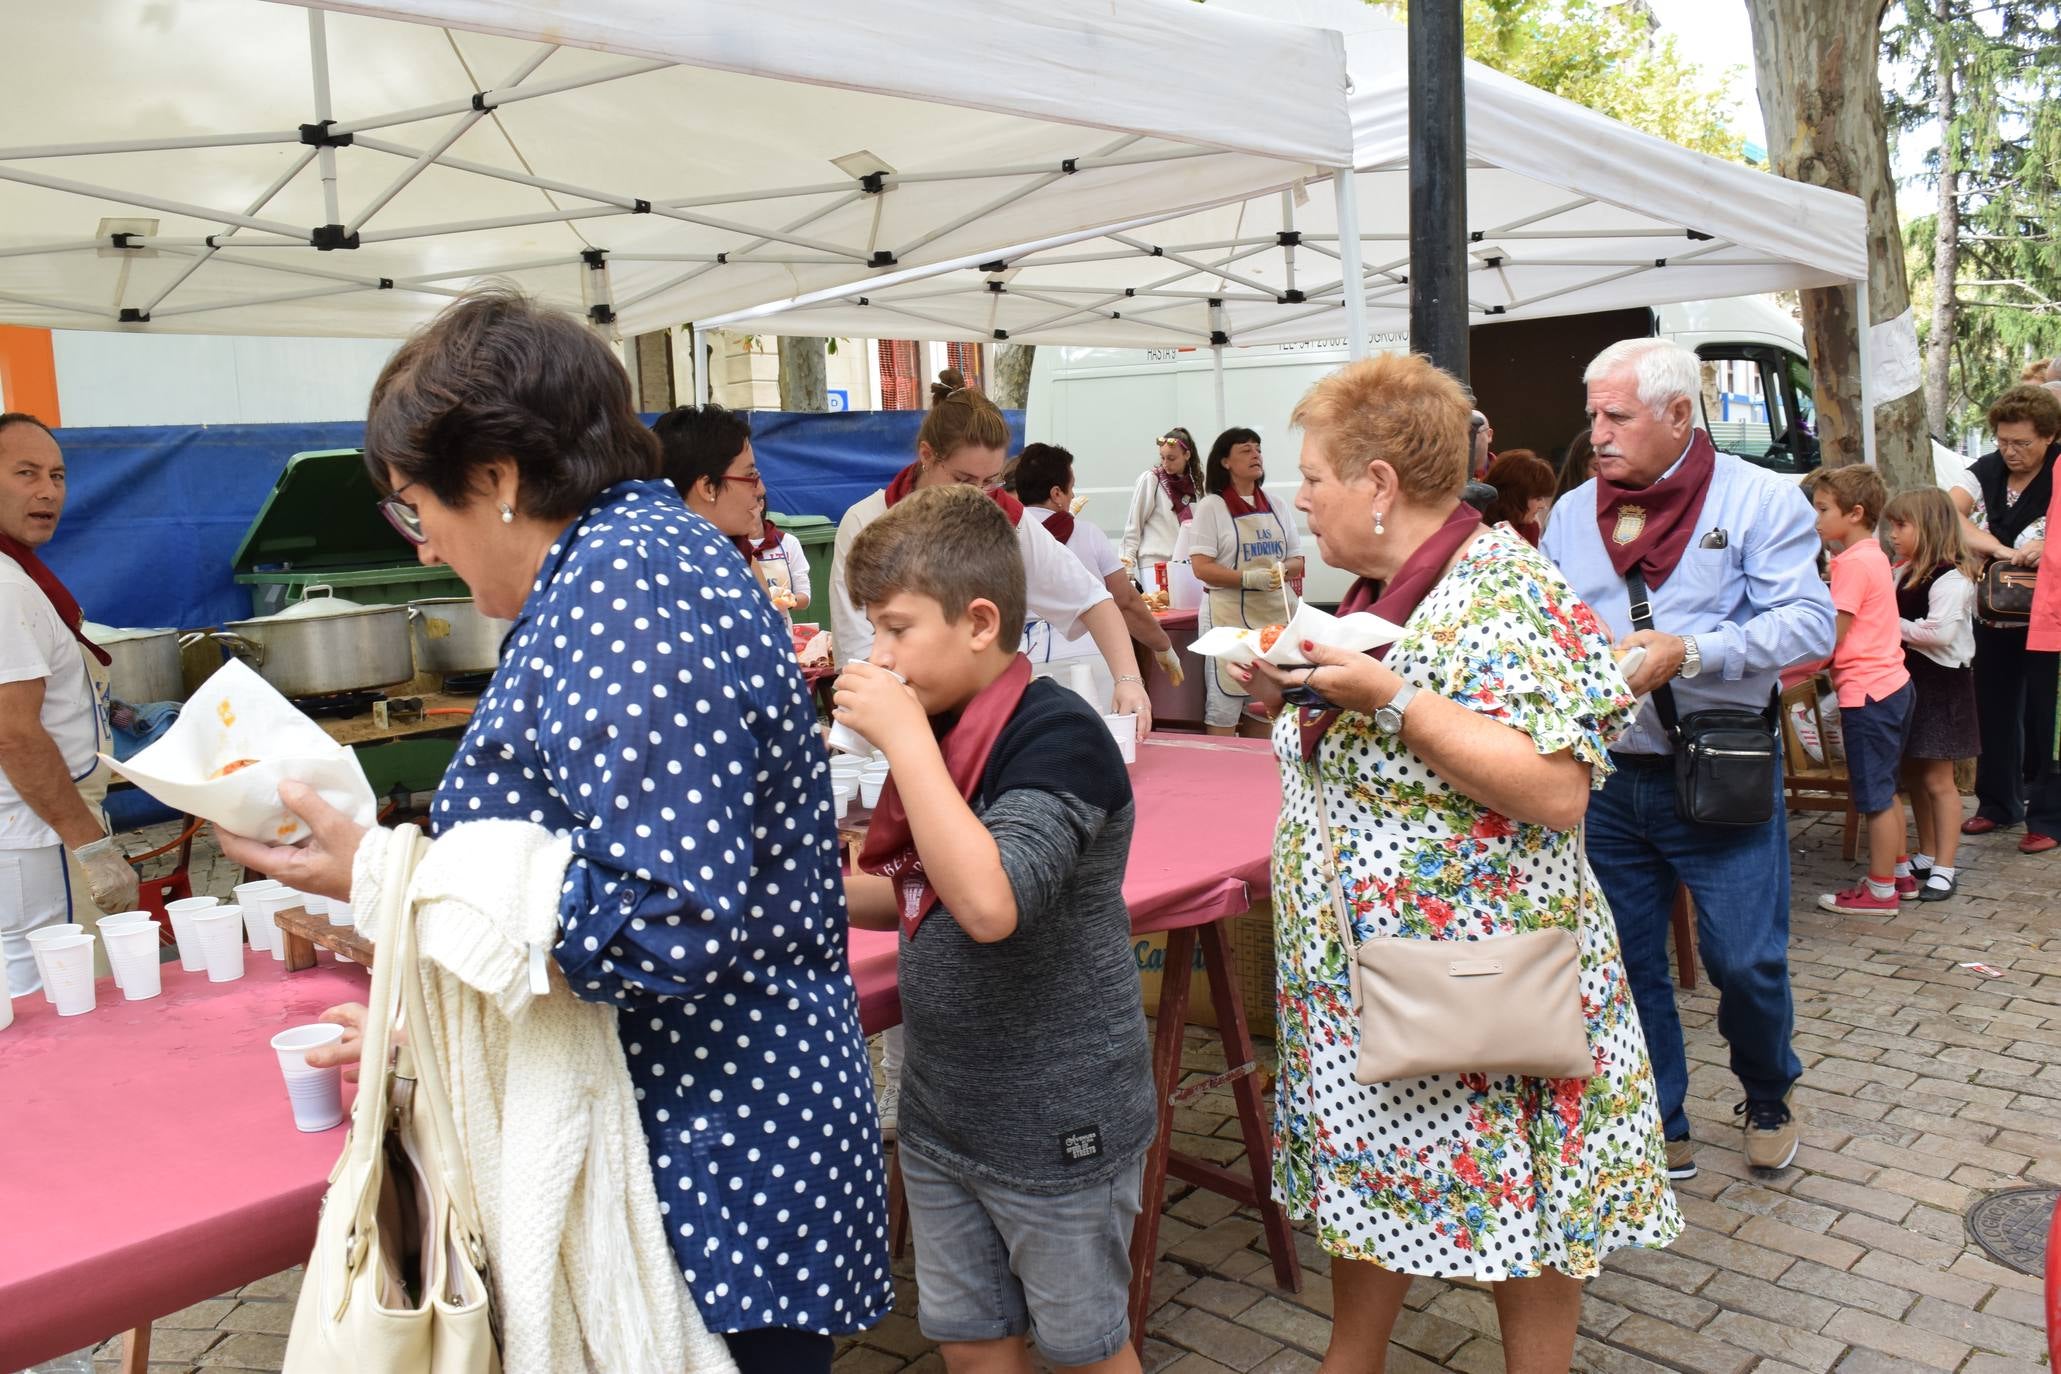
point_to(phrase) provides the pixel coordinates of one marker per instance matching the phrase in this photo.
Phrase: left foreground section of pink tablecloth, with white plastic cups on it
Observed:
(147, 1153)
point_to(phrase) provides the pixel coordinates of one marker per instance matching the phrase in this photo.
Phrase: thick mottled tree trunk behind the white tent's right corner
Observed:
(1821, 96)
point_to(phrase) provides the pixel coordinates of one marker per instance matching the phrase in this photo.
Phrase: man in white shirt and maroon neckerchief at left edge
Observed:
(57, 858)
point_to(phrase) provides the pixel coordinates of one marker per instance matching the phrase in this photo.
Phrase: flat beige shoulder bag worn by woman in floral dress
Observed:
(1506, 1004)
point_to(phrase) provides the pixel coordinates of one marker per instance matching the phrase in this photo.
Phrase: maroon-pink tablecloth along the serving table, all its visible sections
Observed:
(149, 1159)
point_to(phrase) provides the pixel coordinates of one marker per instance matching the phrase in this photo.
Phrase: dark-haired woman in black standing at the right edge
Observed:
(2002, 502)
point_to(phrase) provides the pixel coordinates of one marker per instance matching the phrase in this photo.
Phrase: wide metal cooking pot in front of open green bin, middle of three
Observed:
(323, 646)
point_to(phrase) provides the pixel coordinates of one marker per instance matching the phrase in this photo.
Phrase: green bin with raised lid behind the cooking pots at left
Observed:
(323, 528)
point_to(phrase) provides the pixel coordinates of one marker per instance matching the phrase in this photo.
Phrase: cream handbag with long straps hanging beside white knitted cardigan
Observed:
(399, 1274)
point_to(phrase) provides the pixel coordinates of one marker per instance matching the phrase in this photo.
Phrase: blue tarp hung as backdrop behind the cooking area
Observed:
(156, 516)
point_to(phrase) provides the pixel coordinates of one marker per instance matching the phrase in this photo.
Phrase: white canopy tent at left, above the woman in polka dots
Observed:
(252, 168)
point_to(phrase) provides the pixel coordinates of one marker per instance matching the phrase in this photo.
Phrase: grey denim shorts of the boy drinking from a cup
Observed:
(994, 1264)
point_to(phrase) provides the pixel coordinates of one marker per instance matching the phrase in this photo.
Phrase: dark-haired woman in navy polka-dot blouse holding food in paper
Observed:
(648, 755)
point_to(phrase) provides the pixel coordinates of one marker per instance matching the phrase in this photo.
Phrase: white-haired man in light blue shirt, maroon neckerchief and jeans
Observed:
(1728, 563)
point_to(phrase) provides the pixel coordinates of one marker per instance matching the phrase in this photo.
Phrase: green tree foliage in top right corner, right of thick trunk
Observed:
(2004, 145)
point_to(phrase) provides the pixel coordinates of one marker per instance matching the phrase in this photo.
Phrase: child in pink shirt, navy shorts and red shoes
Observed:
(1868, 673)
